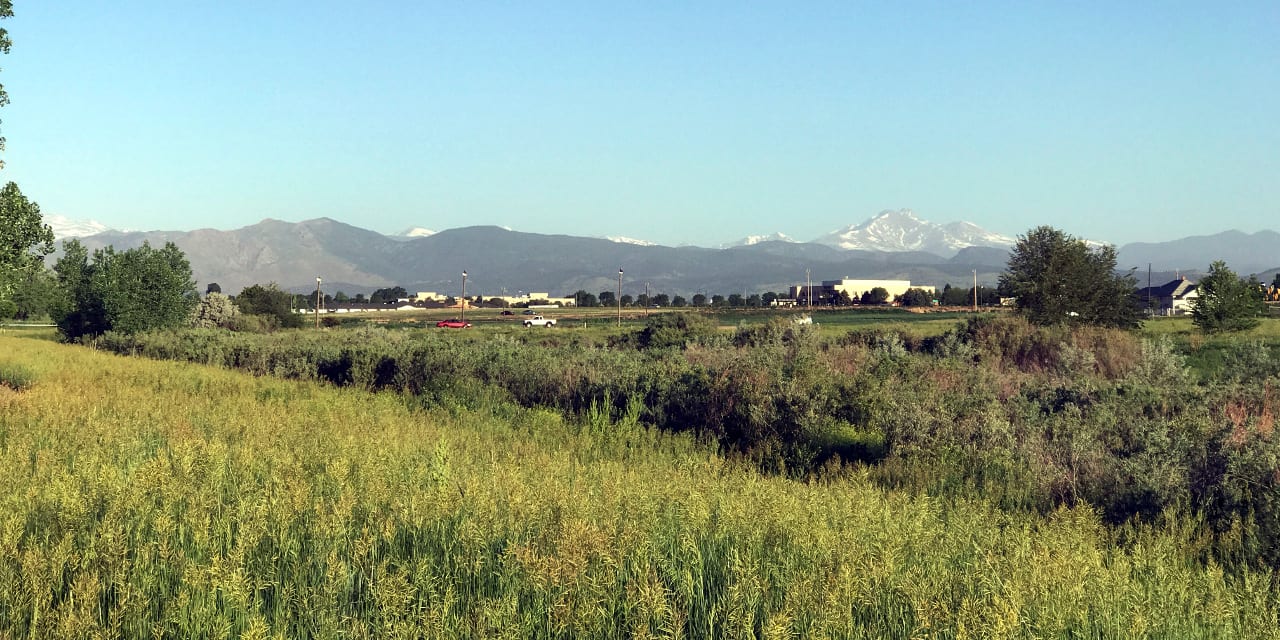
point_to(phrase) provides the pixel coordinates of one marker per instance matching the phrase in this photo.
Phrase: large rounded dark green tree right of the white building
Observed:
(1059, 280)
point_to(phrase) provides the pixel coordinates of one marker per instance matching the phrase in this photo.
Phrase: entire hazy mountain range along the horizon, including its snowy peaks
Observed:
(894, 245)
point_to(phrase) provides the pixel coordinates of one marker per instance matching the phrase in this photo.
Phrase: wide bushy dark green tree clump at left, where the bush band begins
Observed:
(134, 291)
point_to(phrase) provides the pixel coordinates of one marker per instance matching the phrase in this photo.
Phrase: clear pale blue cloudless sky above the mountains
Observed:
(673, 122)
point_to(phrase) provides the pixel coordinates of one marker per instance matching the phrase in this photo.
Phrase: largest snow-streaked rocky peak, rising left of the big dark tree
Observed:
(903, 231)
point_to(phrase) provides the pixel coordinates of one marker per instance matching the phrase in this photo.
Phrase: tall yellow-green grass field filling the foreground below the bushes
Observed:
(177, 501)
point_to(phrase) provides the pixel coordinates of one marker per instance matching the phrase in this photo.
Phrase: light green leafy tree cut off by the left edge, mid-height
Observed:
(25, 239)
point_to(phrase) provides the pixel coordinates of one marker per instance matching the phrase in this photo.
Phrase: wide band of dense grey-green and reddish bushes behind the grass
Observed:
(1028, 418)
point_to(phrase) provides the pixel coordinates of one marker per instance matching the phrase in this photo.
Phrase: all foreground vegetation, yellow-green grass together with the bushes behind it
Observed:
(986, 481)
